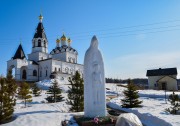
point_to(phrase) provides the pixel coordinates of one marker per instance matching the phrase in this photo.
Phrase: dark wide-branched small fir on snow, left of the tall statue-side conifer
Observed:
(55, 92)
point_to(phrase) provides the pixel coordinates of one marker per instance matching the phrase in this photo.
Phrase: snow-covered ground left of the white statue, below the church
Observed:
(39, 113)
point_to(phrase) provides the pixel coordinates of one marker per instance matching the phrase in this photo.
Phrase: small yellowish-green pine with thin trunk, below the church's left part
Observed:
(24, 92)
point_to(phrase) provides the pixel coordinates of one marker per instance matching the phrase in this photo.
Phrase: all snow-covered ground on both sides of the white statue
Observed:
(51, 114)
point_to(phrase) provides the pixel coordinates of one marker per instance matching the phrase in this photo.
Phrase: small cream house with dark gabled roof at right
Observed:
(162, 79)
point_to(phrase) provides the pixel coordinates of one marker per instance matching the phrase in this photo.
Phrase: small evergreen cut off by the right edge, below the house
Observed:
(175, 103)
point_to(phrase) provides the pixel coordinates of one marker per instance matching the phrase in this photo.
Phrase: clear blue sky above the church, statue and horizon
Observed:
(134, 35)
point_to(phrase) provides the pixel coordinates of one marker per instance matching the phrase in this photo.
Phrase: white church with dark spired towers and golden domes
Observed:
(61, 62)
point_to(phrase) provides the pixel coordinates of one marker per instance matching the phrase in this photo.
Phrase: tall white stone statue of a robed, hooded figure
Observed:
(94, 82)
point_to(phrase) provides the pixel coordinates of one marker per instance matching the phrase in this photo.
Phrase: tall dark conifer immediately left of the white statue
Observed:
(76, 93)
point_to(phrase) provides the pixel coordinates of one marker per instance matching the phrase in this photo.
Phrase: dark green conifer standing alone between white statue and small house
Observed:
(131, 96)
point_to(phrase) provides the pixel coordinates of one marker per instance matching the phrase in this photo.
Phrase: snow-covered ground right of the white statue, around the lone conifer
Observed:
(153, 111)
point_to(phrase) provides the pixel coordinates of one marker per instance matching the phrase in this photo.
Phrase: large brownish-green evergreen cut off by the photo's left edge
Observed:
(7, 97)
